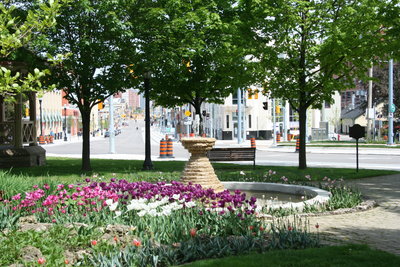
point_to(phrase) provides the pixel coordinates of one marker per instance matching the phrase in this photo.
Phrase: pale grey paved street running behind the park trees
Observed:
(130, 145)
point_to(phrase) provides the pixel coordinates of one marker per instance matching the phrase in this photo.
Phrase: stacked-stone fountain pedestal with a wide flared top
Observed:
(198, 169)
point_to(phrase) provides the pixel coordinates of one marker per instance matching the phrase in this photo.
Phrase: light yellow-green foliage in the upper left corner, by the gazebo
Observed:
(22, 24)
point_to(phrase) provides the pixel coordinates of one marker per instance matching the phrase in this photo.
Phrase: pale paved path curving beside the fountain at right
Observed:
(378, 227)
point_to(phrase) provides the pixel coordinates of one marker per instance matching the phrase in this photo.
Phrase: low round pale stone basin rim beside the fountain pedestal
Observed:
(312, 195)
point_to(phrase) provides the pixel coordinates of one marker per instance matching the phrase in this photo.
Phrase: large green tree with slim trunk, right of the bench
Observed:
(309, 49)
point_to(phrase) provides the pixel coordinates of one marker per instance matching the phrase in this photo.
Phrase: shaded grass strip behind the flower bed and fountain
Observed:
(67, 170)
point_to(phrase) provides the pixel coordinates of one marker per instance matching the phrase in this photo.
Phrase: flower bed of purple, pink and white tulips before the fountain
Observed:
(158, 224)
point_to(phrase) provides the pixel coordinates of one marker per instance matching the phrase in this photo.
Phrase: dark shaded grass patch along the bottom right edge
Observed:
(349, 255)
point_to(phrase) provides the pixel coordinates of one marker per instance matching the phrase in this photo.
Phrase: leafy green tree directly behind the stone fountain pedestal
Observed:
(189, 48)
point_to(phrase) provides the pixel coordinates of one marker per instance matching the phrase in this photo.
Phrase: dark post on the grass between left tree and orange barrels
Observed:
(147, 165)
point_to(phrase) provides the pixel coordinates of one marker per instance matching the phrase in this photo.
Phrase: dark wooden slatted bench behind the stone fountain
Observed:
(233, 154)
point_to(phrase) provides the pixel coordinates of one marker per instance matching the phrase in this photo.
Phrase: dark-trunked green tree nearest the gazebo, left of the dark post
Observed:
(89, 33)
